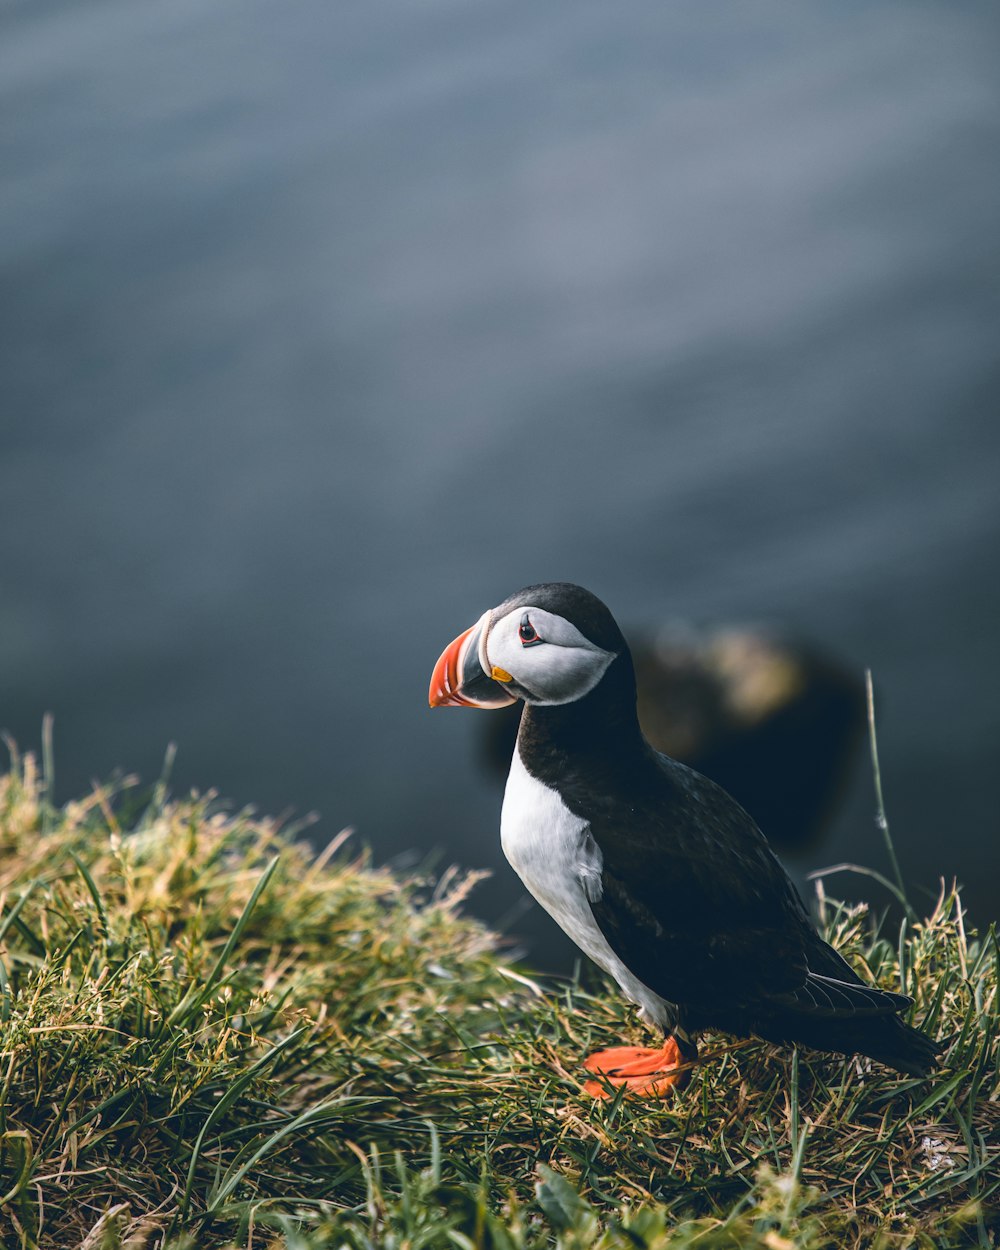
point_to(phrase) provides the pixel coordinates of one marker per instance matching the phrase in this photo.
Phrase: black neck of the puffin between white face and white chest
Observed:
(603, 724)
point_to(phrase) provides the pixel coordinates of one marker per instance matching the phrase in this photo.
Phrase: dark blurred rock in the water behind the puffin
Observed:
(774, 721)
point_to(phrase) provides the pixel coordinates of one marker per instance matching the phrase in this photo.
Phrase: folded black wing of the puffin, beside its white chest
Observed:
(698, 907)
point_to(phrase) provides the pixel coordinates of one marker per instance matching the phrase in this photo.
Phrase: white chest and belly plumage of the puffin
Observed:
(553, 853)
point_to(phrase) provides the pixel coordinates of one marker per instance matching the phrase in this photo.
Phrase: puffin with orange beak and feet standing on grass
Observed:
(653, 871)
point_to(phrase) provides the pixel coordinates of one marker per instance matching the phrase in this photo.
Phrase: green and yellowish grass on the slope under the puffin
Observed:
(213, 1038)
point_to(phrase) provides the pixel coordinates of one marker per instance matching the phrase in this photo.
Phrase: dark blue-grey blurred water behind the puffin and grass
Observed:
(326, 327)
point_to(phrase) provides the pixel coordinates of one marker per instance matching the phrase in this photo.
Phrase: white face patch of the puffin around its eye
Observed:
(549, 658)
